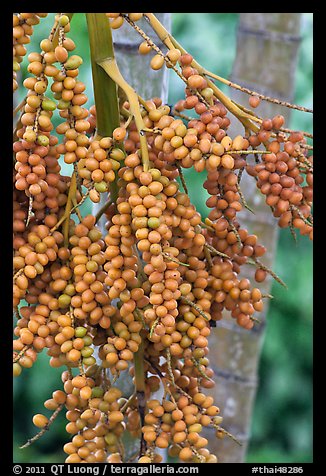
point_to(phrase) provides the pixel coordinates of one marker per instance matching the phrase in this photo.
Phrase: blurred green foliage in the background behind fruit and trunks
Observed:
(282, 420)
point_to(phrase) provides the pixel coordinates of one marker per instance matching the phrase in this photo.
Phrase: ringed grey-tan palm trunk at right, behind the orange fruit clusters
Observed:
(266, 59)
